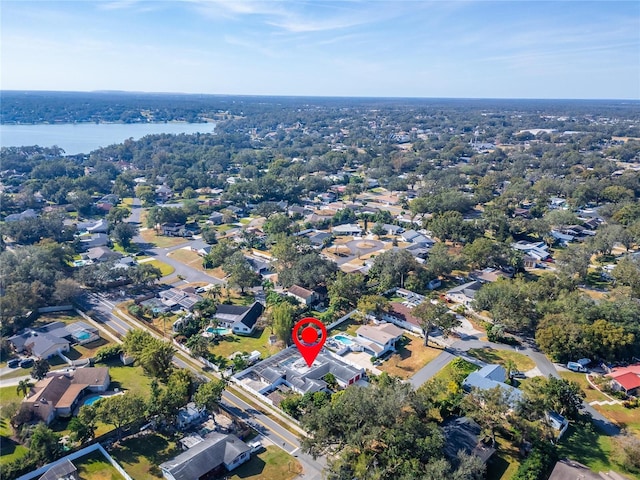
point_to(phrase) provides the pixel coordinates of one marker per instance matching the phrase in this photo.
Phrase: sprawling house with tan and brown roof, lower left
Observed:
(58, 394)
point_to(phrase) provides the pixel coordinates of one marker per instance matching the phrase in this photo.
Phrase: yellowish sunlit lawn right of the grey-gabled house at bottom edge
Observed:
(269, 464)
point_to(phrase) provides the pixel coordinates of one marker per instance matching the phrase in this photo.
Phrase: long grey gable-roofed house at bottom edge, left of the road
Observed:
(214, 454)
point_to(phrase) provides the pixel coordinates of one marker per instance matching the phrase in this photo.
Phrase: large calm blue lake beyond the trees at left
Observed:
(86, 137)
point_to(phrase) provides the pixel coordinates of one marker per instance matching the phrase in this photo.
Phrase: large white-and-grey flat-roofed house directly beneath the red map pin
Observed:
(288, 371)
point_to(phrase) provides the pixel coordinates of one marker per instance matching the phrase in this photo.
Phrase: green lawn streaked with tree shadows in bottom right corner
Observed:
(584, 443)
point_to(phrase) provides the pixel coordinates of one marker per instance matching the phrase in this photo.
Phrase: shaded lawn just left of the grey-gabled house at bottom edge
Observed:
(141, 456)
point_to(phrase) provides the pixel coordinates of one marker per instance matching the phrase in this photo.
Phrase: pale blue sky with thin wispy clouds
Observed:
(400, 48)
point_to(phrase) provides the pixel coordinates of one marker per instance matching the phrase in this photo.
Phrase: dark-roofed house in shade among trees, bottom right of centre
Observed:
(463, 434)
